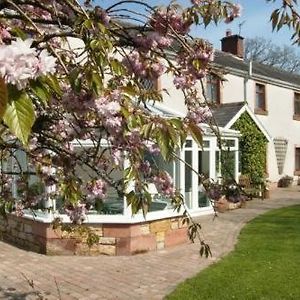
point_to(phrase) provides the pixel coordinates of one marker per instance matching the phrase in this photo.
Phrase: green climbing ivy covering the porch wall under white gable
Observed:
(253, 145)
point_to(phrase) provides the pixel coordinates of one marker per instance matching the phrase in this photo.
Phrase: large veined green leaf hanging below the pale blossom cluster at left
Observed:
(19, 117)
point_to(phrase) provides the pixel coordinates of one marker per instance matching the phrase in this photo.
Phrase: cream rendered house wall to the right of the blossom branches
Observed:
(278, 120)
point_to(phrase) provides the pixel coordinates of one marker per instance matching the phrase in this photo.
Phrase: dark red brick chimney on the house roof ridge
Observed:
(233, 44)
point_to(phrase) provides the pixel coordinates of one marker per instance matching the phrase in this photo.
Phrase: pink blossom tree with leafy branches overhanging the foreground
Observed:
(72, 73)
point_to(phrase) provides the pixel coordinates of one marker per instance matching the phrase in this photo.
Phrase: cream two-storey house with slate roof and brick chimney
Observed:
(270, 95)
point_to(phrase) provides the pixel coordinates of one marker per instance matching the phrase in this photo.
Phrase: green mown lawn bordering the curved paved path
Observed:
(264, 265)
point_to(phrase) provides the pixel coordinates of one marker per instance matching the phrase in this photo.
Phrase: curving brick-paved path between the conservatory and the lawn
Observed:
(145, 276)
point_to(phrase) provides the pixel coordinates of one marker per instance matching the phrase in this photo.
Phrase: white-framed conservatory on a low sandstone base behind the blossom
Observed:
(121, 232)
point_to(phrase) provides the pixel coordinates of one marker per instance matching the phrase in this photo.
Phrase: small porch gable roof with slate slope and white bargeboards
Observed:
(227, 114)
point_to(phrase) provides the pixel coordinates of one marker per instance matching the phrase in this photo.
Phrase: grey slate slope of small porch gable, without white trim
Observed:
(226, 112)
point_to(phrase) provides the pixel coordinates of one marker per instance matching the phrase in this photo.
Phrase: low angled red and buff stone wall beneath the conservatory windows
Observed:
(115, 239)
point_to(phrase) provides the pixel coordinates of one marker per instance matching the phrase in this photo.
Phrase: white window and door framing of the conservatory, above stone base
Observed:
(210, 144)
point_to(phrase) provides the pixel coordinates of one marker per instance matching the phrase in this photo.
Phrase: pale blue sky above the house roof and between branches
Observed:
(255, 18)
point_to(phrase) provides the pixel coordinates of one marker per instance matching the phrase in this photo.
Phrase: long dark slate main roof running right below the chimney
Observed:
(225, 59)
